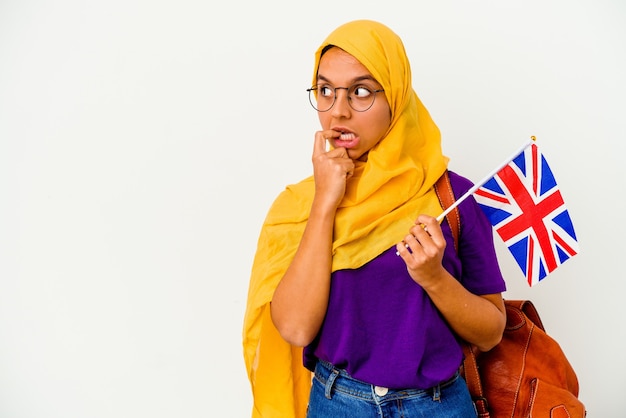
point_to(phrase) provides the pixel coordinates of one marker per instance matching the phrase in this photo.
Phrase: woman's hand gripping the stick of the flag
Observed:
(422, 251)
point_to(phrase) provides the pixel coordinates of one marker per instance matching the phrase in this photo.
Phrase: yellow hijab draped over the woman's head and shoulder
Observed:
(382, 200)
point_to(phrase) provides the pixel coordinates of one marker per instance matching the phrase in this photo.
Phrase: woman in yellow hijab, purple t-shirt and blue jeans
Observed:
(352, 264)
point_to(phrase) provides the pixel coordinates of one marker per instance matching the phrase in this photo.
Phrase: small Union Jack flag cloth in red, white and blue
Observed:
(526, 208)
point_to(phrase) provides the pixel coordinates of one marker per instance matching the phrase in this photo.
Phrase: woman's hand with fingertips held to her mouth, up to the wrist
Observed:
(331, 170)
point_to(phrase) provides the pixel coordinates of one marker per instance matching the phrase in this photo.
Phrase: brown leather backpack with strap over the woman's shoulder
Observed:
(527, 373)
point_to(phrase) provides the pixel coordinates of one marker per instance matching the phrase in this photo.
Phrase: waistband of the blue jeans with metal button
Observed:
(339, 380)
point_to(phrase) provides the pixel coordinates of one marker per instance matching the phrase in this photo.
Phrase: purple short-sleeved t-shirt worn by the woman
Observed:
(382, 328)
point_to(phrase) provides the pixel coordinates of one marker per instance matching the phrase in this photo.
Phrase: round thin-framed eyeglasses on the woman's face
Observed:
(360, 97)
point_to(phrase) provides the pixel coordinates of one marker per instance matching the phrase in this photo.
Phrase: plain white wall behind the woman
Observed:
(141, 143)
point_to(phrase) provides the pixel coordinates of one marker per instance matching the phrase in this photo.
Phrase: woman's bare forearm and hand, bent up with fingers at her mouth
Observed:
(301, 298)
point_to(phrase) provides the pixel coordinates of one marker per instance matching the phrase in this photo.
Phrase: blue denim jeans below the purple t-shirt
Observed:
(334, 394)
